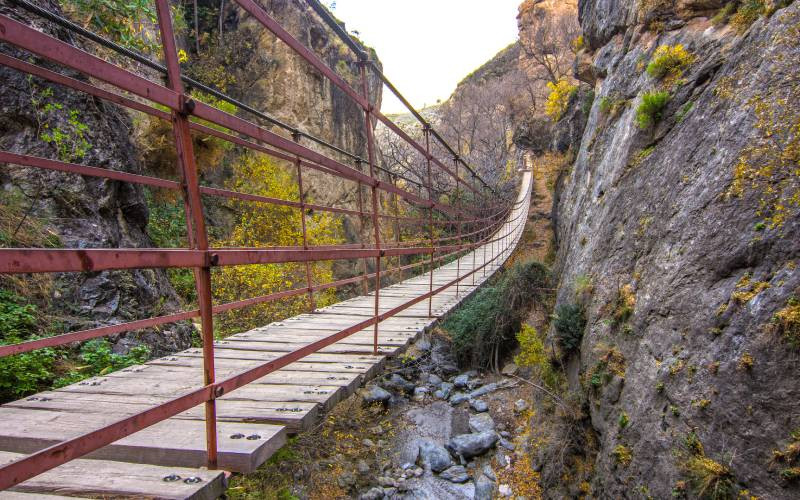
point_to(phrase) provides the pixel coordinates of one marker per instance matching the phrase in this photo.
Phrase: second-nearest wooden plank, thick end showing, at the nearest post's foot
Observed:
(172, 442)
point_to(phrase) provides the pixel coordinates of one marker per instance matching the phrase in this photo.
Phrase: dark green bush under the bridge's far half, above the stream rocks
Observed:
(484, 326)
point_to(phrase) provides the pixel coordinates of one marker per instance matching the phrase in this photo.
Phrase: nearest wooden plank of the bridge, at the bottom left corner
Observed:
(118, 479)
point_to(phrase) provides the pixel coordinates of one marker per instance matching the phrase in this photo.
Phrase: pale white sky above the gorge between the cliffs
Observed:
(428, 46)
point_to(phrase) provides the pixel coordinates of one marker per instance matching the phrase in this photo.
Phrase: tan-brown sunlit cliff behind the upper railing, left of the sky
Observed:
(268, 75)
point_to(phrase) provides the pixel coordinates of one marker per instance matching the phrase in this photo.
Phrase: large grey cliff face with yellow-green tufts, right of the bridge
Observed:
(682, 238)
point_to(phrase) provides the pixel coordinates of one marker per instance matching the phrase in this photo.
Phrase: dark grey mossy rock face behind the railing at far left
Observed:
(45, 120)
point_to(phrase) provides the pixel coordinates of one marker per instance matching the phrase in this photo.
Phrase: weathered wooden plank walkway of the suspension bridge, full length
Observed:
(254, 420)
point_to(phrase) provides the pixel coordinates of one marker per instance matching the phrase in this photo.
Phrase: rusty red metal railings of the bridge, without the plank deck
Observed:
(463, 227)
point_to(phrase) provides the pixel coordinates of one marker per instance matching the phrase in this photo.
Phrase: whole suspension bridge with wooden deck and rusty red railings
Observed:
(171, 427)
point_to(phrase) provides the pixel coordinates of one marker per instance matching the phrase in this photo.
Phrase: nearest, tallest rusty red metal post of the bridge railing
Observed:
(195, 221)
